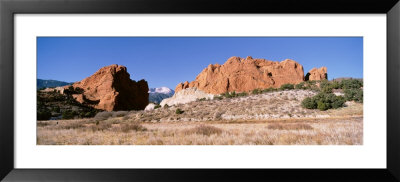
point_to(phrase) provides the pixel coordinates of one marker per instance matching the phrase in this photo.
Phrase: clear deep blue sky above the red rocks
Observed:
(166, 61)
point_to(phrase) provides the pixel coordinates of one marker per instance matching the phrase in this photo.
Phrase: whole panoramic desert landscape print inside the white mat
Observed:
(199, 91)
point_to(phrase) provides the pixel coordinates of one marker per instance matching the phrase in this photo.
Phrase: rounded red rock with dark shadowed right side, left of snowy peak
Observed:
(111, 89)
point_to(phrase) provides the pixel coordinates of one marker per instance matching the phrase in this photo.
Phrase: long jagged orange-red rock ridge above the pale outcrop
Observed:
(242, 75)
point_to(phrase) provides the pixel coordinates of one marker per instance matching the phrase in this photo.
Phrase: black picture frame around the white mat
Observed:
(8, 8)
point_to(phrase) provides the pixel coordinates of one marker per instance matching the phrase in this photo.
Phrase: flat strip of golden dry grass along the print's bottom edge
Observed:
(339, 130)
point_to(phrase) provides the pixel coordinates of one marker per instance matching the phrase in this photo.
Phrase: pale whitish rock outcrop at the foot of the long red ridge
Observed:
(185, 96)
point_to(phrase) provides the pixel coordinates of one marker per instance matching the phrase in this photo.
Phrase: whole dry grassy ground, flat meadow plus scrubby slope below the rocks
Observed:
(267, 119)
